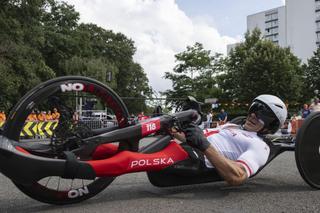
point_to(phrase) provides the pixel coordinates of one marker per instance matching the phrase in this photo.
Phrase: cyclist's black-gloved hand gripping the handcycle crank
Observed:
(195, 137)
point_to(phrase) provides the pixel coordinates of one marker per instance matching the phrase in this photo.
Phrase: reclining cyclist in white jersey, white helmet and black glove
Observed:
(237, 152)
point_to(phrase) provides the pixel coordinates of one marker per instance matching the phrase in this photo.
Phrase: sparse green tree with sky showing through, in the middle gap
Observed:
(195, 74)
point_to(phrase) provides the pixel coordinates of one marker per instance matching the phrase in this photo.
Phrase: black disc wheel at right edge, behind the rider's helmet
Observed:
(307, 151)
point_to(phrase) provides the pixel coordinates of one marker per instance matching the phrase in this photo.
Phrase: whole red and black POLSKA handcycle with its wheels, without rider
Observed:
(76, 162)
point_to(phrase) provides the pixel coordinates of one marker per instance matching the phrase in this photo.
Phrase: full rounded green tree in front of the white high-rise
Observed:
(258, 66)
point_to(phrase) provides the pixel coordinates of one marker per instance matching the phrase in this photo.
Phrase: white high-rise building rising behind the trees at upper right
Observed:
(295, 25)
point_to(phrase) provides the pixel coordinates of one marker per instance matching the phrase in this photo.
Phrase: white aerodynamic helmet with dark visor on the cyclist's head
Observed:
(271, 110)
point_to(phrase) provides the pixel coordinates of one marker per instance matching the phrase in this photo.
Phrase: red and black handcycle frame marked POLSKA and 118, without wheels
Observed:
(21, 166)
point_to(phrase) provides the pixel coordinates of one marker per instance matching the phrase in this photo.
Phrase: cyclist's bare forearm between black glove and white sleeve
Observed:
(231, 171)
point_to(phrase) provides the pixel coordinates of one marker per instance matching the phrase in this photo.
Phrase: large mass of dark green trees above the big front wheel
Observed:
(41, 39)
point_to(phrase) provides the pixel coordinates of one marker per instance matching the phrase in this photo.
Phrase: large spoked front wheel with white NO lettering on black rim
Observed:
(74, 107)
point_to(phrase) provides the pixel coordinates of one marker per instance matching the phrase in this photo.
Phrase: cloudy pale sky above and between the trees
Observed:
(163, 28)
